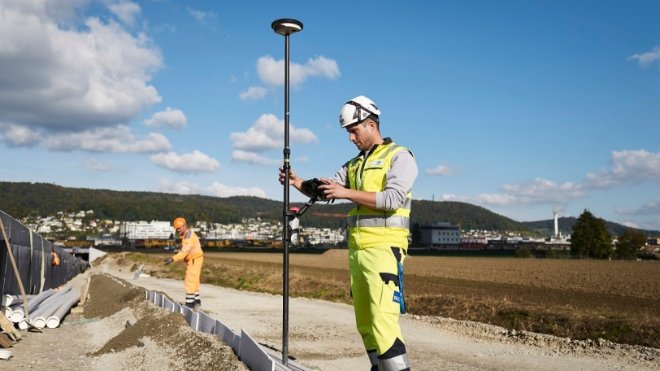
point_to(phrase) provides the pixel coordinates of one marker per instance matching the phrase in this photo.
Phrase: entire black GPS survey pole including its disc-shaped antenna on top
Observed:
(286, 27)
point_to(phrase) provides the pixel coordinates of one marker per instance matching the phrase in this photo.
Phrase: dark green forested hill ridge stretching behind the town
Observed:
(43, 199)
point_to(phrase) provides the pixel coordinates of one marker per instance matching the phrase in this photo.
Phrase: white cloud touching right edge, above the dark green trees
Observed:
(628, 167)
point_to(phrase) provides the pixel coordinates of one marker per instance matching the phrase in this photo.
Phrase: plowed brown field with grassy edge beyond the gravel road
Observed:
(580, 299)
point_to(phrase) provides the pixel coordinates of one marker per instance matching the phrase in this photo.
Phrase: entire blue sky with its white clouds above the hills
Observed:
(516, 106)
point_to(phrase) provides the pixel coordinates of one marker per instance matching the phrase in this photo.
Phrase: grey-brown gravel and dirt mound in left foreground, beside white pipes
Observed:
(117, 329)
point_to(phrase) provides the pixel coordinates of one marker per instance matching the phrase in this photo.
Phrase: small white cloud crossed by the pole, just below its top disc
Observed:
(271, 71)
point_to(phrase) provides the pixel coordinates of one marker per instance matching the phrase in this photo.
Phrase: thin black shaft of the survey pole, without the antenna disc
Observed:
(285, 219)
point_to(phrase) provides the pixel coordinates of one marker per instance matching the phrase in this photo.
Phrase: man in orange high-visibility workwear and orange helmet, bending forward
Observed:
(191, 252)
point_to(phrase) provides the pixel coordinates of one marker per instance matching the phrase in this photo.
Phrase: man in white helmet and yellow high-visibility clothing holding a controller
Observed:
(379, 181)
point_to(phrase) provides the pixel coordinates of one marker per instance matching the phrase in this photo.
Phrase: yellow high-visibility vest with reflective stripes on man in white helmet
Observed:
(372, 227)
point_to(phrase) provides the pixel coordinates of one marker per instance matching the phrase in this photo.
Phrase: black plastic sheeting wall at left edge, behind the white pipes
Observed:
(33, 258)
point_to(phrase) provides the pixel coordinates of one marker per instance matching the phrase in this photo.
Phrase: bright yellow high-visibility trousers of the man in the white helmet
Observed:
(376, 295)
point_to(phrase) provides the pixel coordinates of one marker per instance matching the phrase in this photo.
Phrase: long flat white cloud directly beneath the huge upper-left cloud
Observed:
(117, 139)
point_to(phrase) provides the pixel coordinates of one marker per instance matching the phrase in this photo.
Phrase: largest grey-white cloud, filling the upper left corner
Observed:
(71, 77)
